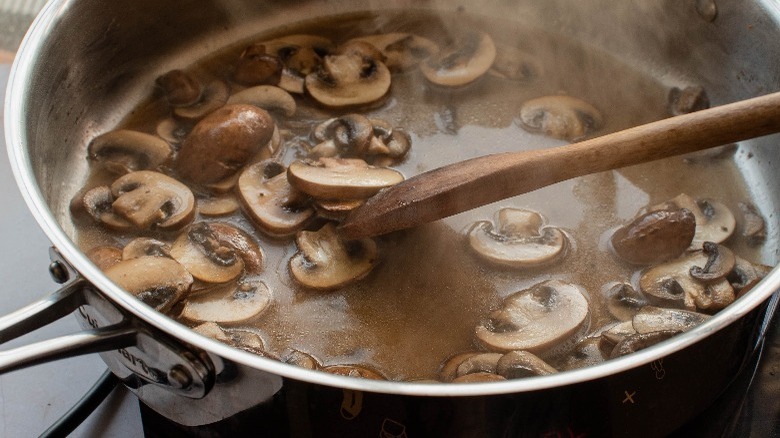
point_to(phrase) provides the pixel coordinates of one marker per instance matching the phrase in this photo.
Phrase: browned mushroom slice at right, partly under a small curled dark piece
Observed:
(671, 284)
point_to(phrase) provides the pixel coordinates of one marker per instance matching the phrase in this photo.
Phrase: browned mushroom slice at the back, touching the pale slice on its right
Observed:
(402, 51)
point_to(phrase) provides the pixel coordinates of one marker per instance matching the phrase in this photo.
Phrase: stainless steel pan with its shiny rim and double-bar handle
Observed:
(84, 64)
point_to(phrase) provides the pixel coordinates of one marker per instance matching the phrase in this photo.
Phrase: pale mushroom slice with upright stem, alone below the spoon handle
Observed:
(520, 239)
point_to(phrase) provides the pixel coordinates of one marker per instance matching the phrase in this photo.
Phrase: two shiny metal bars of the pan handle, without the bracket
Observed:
(47, 310)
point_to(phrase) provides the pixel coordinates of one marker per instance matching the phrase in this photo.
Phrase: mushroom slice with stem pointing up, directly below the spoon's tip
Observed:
(326, 262)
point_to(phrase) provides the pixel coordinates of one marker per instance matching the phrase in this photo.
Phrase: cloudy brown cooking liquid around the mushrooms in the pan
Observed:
(423, 300)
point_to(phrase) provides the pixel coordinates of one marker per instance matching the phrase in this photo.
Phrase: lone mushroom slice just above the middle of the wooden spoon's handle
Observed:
(562, 117)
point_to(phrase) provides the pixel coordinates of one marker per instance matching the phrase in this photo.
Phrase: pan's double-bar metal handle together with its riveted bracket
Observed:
(134, 351)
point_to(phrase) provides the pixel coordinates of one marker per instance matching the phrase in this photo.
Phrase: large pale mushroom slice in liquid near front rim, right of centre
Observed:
(544, 320)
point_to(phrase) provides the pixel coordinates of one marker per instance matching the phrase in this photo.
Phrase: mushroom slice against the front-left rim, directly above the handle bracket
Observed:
(157, 281)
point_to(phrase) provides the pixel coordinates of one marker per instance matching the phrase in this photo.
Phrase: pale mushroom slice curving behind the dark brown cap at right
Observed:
(714, 221)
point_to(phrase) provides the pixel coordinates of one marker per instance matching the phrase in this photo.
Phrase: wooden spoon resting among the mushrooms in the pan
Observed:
(469, 184)
